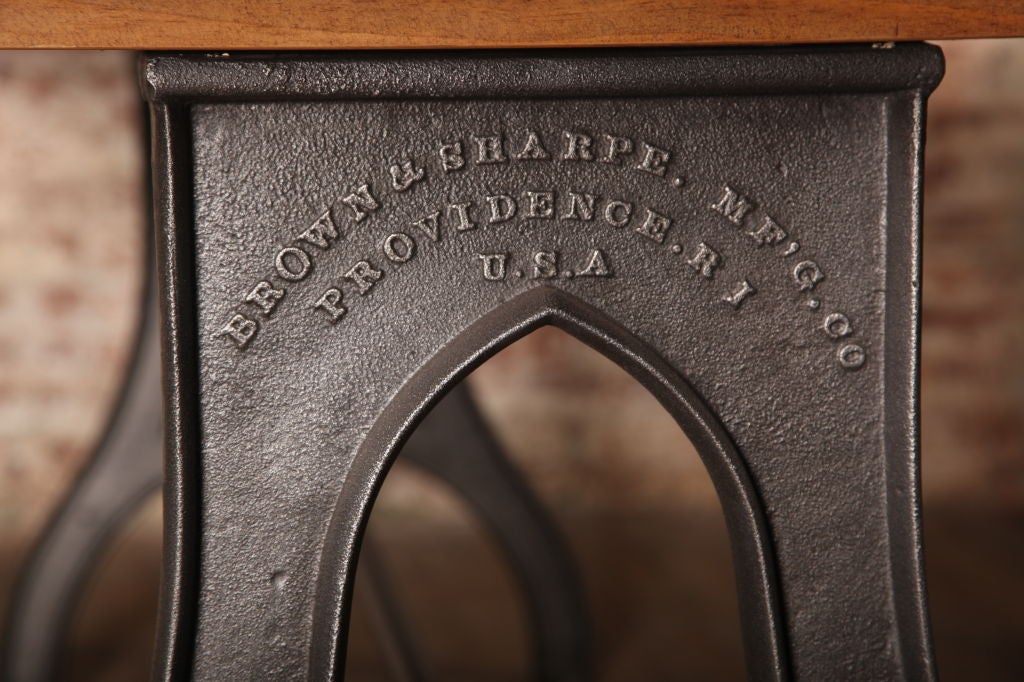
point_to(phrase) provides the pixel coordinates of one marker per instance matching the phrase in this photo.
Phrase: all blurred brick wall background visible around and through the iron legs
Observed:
(71, 210)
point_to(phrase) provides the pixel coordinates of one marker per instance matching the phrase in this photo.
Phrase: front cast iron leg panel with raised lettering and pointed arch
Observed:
(344, 238)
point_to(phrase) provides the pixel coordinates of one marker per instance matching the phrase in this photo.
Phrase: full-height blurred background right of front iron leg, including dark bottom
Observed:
(973, 362)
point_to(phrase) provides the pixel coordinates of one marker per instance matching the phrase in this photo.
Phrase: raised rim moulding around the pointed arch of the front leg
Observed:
(753, 557)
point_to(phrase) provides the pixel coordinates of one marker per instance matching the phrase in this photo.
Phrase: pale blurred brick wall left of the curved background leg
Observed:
(71, 217)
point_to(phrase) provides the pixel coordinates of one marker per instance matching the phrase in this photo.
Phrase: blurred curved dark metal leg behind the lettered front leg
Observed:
(454, 444)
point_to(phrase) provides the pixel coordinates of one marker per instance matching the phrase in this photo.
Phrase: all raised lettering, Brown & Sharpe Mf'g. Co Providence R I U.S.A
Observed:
(364, 274)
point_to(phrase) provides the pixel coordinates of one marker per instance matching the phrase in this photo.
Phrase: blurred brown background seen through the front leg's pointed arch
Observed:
(634, 507)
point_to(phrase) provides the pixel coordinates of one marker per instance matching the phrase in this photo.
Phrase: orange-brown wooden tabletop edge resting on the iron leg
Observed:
(237, 25)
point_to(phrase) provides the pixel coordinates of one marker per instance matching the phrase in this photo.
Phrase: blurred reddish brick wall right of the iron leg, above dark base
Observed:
(973, 322)
